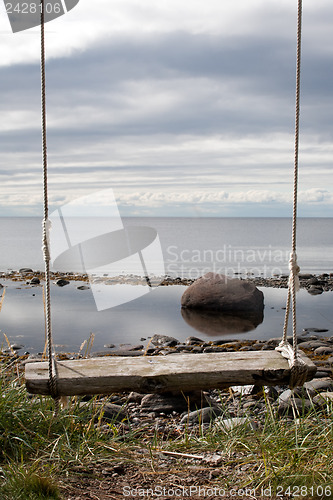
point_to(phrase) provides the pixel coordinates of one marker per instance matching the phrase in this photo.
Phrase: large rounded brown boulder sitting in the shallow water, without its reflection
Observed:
(216, 292)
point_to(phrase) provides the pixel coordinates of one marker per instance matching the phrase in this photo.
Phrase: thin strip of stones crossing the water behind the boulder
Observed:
(315, 284)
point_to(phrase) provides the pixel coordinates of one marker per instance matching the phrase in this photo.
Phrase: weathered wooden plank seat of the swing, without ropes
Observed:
(179, 372)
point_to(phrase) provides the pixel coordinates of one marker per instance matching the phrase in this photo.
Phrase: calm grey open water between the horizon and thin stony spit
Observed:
(192, 246)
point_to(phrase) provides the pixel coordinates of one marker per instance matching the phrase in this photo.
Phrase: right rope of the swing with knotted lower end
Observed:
(297, 365)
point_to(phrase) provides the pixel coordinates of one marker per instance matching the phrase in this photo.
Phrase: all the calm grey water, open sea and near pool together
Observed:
(176, 247)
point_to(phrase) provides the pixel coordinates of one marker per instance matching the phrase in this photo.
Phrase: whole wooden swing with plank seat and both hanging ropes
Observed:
(181, 372)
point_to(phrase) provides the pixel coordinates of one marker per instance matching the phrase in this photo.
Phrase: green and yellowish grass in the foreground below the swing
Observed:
(37, 449)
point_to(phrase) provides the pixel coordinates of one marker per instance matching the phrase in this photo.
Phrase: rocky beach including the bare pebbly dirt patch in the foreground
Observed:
(166, 418)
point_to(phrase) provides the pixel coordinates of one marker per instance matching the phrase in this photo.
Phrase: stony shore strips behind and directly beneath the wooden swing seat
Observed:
(314, 342)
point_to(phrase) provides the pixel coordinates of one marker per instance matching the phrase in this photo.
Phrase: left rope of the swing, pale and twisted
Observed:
(46, 227)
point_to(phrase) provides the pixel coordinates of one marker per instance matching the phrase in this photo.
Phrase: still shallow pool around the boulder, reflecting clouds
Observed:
(75, 316)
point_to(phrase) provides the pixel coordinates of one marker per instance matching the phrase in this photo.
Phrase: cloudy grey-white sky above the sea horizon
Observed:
(183, 108)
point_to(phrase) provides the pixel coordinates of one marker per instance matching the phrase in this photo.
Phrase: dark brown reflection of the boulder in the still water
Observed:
(213, 323)
